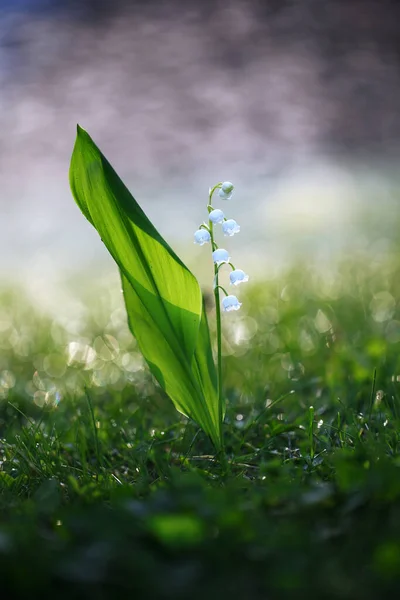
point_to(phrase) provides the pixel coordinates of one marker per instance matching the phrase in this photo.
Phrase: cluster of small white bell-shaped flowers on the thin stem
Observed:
(205, 234)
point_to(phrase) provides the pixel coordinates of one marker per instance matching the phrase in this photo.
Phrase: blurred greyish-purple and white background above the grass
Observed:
(295, 101)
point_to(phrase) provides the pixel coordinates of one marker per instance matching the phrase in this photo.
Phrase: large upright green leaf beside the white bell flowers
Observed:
(163, 299)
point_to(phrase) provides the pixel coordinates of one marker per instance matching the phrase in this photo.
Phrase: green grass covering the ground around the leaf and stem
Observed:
(107, 492)
